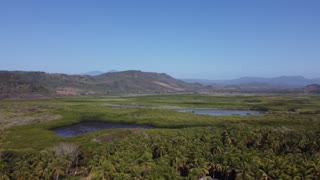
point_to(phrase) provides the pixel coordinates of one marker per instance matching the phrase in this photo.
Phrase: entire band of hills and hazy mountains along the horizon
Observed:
(23, 84)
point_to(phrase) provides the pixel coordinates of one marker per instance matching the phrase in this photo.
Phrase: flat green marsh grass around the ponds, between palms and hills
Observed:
(28, 126)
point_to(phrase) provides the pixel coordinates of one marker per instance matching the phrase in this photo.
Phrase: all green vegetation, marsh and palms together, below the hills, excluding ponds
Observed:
(283, 143)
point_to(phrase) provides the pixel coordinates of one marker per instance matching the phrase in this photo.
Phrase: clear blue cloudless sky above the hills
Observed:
(211, 39)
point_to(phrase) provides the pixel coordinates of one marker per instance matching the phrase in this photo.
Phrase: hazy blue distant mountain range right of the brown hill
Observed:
(277, 82)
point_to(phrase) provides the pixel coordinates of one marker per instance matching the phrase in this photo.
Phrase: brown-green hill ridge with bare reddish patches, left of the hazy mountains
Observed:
(30, 84)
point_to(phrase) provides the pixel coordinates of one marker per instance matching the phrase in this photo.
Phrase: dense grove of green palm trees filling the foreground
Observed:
(191, 153)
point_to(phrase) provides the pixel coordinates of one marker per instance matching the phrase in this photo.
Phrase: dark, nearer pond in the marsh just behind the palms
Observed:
(91, 126)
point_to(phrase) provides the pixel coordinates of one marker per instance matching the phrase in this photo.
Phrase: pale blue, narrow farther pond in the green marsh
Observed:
(217, 112)
